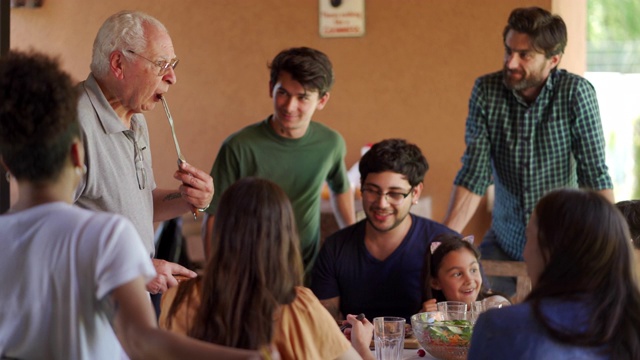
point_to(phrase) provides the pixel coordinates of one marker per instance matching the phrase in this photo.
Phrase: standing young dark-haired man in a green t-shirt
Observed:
(290, 149)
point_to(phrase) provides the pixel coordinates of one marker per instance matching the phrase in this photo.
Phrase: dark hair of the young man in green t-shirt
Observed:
(310, 67)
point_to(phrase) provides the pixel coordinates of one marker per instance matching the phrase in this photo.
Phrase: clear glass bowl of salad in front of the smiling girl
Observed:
(444, 335)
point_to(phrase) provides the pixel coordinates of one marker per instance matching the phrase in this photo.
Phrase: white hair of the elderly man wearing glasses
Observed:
(122, 31)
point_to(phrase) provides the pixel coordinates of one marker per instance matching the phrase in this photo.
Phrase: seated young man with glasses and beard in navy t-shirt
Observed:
(375, 266)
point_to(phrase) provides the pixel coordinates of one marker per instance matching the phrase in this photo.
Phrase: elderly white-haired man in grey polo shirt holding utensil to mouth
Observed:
(132, 66)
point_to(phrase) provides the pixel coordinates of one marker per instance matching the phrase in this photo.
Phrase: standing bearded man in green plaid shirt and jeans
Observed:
(531, 128)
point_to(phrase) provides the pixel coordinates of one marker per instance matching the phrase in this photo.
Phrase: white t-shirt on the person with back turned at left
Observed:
(57, 263)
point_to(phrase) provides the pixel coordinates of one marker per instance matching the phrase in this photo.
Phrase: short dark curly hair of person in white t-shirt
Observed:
(38, 115)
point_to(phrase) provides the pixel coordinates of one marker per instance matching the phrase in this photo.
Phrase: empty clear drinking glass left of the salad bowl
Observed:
(388, 335)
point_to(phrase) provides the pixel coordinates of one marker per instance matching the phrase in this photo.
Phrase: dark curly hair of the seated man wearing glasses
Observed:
(396, 155)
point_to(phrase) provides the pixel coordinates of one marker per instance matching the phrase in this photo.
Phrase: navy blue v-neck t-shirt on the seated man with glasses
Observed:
(392, 287)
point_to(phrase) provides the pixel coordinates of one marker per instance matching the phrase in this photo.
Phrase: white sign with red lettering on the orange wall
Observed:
(341, 18)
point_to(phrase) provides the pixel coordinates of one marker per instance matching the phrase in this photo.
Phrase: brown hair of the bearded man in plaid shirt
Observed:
(548, 33)
